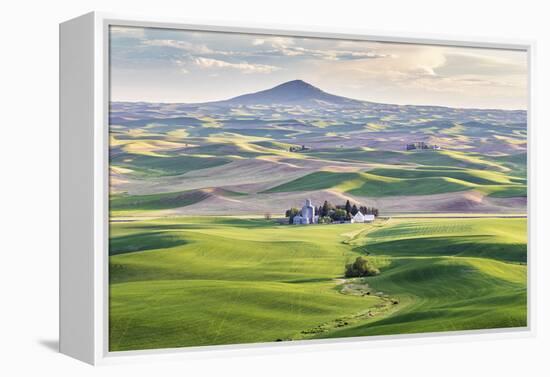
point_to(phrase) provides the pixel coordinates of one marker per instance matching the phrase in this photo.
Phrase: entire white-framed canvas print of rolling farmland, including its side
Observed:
(229, 187)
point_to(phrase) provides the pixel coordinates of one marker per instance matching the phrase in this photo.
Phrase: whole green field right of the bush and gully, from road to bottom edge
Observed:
(445, 293)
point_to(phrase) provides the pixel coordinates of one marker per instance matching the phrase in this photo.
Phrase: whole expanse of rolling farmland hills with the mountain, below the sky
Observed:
(201, 253)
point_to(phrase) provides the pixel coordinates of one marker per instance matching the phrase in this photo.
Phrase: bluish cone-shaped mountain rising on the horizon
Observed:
(291, 93)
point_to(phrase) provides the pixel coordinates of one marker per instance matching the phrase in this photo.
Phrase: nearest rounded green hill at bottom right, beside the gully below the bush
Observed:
(448, 294)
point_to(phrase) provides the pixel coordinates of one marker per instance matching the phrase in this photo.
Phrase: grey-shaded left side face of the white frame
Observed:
(77, 275)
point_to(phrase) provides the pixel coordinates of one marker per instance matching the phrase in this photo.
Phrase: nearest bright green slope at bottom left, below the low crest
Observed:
(179, 313)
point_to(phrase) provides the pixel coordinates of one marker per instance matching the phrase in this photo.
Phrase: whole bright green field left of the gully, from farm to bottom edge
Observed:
(231, 281)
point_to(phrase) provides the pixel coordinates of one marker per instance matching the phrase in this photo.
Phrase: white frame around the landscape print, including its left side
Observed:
(84, 295)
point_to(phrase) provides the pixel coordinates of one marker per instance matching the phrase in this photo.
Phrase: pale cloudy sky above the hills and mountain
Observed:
(185, 66)
